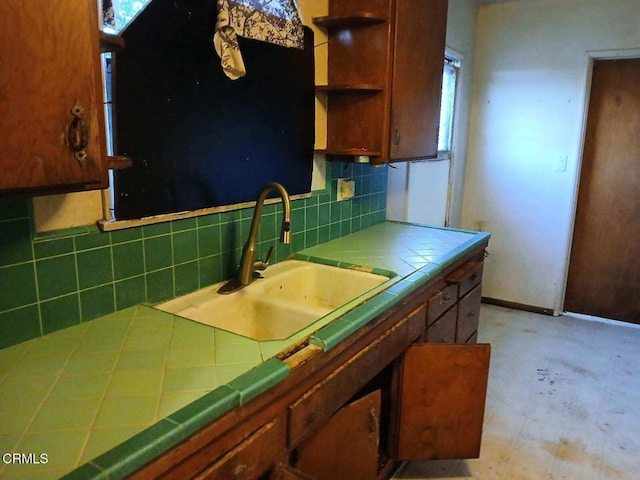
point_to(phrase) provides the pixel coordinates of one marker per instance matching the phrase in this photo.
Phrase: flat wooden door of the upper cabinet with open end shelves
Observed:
(418, 60)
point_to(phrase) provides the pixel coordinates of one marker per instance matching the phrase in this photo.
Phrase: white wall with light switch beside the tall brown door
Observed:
(532, 69)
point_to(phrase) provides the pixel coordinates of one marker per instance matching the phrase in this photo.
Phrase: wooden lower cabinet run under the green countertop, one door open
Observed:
(387, 393)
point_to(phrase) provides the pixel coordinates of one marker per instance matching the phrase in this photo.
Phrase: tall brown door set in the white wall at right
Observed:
(604, 267)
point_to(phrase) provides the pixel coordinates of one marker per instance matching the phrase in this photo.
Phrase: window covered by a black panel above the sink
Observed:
(198, 140)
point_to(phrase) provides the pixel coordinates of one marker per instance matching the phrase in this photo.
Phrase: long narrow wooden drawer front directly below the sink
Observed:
(313, 409)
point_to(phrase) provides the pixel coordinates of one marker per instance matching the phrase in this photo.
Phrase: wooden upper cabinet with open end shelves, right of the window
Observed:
(385, 61)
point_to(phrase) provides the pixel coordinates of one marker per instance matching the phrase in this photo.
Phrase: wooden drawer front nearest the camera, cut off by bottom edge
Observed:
(252, 458)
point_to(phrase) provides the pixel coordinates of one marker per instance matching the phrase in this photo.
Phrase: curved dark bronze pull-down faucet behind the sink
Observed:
(248, 265)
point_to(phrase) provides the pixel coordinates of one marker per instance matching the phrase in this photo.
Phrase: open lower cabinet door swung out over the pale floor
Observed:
(442, 398)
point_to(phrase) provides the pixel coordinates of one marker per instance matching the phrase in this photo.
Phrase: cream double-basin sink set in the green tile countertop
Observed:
(292, 296)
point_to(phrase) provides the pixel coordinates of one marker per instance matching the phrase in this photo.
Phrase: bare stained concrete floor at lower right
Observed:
(563, 402)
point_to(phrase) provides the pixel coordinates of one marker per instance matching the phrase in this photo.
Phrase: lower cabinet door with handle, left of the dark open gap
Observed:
(346, 447)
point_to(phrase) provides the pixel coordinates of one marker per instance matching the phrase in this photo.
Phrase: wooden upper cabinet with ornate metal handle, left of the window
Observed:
(49, 66)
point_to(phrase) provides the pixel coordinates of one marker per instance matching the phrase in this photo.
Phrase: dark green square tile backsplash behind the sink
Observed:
(55, 280)
